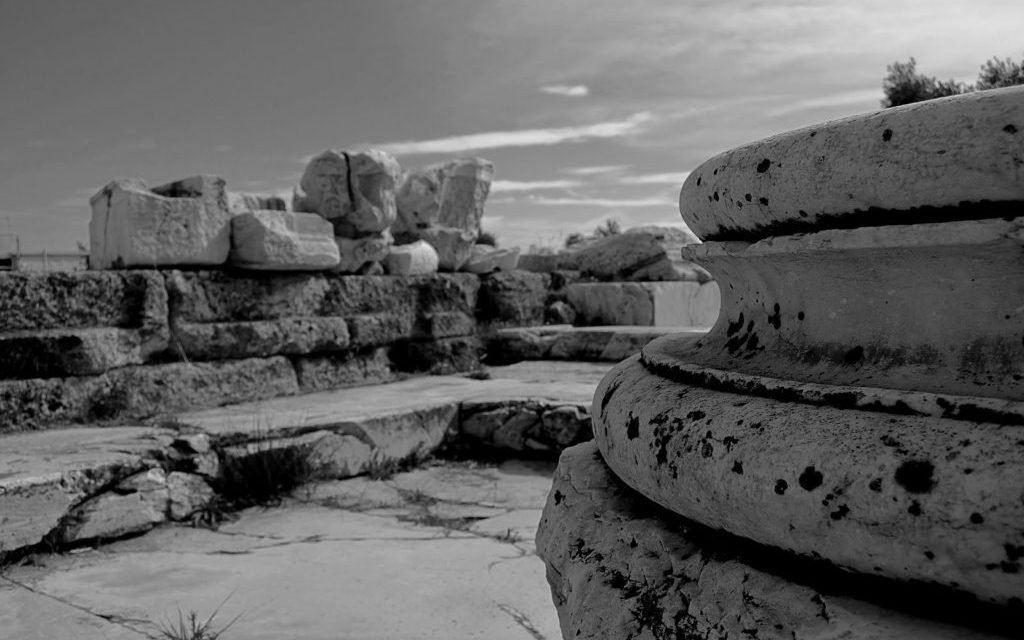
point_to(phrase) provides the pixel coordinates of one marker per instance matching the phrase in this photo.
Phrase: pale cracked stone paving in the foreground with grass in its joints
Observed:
(445, 551)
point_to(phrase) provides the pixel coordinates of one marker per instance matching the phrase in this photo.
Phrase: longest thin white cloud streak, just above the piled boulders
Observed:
(524, 138)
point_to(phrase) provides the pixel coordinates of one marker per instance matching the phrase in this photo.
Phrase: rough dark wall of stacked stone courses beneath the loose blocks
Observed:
(127, 346)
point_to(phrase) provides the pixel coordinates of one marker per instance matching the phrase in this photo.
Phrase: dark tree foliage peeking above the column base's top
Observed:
(904, 86)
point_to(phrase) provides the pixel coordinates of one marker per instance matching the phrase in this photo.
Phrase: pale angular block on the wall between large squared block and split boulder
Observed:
(282, 241)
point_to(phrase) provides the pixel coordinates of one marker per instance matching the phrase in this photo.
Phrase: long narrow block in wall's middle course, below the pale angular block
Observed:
(288, 336)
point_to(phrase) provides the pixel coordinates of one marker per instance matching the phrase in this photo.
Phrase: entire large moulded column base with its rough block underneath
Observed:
(842, 456)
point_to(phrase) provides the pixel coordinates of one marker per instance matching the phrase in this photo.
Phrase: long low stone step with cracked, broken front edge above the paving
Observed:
(68, 486)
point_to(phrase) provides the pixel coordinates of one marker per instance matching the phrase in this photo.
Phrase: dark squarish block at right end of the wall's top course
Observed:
(514, 298)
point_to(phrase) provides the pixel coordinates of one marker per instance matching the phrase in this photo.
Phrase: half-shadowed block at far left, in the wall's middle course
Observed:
(68, 353)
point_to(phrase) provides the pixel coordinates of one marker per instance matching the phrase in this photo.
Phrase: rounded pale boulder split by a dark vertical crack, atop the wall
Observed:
(354, 191)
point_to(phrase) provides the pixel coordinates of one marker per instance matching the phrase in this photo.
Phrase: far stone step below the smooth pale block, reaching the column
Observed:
(565, 343)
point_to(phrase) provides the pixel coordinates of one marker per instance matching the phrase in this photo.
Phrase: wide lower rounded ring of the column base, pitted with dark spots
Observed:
(904, 497)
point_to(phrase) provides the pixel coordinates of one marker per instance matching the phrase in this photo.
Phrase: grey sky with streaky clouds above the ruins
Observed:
(590, 110)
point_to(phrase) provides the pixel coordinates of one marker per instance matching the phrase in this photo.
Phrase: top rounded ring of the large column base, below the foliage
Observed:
(901, 165)
